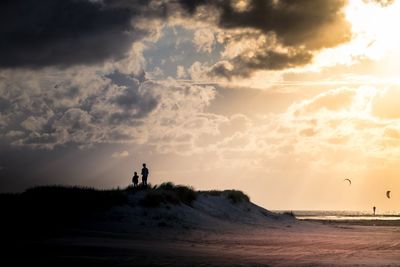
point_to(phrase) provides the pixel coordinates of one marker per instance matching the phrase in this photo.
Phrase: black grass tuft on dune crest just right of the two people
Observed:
(169, 193)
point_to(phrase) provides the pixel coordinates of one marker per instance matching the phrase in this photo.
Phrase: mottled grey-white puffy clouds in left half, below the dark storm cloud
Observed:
(83, 107)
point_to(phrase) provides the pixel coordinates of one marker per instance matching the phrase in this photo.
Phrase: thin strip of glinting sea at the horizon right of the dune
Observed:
(342, 215)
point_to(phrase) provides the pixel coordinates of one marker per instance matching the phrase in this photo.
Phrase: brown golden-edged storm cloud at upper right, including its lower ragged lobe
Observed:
(301, 27)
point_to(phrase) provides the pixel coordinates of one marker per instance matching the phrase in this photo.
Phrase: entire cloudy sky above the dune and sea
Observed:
(282, 99)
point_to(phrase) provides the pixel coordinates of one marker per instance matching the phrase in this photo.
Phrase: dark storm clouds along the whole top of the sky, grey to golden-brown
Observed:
(62, 33)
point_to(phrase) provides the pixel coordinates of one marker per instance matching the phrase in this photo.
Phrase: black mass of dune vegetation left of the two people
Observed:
(49, 209)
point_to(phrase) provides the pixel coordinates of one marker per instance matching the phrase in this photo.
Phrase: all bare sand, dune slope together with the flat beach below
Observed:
(215, 232)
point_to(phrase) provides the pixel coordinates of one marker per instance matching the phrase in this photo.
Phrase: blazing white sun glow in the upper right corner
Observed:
(374, 46)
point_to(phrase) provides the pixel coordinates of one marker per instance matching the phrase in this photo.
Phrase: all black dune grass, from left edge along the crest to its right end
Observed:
(47, 209)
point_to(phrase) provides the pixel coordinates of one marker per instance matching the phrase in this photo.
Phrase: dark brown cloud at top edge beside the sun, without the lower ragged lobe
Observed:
(295, 22)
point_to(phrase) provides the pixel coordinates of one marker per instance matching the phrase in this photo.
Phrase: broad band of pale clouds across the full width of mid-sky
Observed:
(82, 107)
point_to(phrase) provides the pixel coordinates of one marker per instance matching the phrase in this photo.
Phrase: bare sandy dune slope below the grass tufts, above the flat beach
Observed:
(209, 213)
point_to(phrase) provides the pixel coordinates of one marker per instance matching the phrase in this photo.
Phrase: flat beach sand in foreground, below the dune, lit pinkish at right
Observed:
(300, 244)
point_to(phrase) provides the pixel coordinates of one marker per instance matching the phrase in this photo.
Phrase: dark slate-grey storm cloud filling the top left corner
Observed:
(66, 32)
